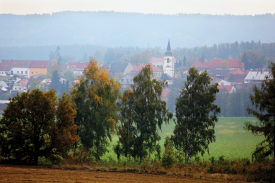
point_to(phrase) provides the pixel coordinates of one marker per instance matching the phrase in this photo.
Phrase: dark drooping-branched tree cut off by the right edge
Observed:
(264, 102)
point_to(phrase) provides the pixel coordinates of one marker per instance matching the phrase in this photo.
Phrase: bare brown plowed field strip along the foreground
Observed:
(23, 174)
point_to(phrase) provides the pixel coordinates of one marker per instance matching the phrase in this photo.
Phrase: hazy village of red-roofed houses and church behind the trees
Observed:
(18, 76)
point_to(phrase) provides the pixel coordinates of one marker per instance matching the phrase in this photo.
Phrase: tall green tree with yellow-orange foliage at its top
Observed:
(95, 96)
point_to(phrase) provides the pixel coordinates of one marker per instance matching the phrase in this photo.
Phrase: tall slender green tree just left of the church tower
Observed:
(149, 111)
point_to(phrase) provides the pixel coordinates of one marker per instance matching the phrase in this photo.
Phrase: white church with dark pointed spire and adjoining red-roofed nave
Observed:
(167, 62)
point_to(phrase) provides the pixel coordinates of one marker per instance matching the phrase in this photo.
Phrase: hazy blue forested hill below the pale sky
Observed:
(114, 29)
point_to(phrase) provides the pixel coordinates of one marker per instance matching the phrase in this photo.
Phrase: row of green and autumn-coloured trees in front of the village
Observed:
(36, 125)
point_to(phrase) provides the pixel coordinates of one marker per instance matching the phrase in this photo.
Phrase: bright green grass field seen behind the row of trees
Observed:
(232, 141)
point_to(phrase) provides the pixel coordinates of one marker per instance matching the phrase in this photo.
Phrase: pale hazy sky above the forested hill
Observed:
(241, 7)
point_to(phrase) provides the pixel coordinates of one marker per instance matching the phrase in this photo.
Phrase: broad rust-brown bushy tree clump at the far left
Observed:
(36, 125)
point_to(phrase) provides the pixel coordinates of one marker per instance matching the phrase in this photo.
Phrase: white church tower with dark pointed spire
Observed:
(168, 61)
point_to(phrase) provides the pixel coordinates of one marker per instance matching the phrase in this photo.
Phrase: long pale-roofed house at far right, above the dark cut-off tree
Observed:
(257, 76)
